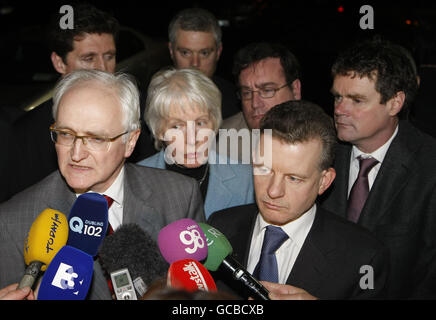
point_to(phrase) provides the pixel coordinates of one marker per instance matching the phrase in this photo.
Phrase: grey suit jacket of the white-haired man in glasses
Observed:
(153, 198)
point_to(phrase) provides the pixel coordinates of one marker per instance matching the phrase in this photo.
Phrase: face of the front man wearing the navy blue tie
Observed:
(288, 186)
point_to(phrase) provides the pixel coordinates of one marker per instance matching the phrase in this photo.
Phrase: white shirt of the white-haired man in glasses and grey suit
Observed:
(116, 192)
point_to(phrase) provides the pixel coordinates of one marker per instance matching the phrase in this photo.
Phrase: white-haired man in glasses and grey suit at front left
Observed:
(96, 129)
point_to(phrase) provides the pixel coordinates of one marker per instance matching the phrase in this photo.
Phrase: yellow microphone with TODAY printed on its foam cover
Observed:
(48, 234)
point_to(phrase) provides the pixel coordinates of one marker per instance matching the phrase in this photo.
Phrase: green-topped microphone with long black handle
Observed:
(220, 257)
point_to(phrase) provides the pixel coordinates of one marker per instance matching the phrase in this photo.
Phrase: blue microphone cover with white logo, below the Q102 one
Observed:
(68, 277)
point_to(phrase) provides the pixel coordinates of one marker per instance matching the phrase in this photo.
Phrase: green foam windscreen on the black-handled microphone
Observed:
(217, 245)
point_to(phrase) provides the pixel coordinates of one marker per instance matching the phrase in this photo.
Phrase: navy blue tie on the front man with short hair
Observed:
(267, 268)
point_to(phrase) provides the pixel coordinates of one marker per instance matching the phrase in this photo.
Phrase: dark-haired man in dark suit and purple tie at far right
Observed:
(372, 83)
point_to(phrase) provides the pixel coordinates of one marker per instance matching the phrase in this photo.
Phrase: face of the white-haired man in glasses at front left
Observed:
(91, 109)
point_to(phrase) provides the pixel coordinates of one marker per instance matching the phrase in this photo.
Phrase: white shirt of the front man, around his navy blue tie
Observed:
(286, 255)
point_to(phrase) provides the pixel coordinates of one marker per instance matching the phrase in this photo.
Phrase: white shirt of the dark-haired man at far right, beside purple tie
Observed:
(378, 154)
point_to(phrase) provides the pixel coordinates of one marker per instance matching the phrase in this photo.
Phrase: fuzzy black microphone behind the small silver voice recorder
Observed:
(132, 248)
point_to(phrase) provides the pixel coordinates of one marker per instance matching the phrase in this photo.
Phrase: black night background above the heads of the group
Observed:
(314, 29)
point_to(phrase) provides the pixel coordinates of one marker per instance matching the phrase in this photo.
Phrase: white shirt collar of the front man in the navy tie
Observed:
(297, 230)
